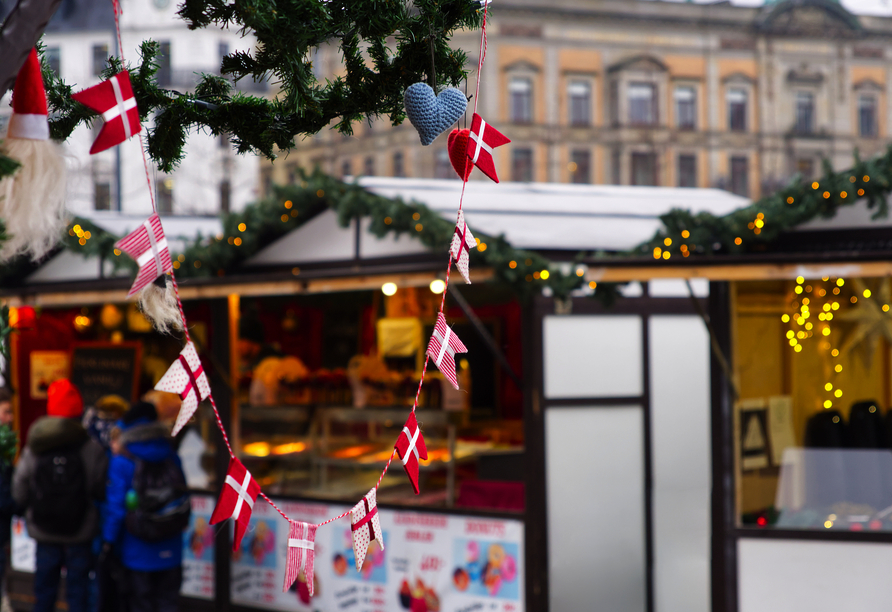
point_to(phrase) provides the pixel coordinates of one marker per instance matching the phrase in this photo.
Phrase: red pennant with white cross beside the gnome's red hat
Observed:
(114, 100)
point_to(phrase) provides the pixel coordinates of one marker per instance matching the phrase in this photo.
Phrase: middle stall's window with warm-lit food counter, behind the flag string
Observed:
(326, 383)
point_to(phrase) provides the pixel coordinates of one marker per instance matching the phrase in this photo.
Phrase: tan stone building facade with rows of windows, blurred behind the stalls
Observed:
(650, 93)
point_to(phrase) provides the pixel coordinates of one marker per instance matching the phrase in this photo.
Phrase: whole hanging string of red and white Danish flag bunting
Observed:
(187, 377)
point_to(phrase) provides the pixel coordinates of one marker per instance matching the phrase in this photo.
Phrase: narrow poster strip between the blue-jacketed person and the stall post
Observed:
(198, 550)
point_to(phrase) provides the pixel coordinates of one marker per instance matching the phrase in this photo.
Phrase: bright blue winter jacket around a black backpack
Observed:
(150, 442)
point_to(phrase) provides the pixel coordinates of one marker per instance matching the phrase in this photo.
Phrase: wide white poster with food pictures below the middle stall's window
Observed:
(430, 563)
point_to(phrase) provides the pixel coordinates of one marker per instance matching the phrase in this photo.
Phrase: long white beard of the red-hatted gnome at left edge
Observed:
(32, 200)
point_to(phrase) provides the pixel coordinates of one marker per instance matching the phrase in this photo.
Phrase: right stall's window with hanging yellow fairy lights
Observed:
(813, 429)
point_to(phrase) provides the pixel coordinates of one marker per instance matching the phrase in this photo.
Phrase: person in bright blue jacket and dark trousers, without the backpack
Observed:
(154, 567)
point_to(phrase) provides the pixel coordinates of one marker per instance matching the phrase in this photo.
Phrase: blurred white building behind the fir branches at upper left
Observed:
(211, 178)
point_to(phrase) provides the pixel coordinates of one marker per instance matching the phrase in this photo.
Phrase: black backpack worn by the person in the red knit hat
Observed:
(59, 485)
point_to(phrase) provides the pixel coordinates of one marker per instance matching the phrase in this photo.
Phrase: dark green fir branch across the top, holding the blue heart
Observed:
(385, 48)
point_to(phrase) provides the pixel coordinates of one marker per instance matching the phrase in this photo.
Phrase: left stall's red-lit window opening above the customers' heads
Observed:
(115, 357)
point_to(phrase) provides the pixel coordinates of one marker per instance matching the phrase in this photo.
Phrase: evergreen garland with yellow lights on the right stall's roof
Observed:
(755, 227)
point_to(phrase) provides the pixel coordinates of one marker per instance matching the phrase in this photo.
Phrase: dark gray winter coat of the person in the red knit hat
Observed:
(46, 434)
